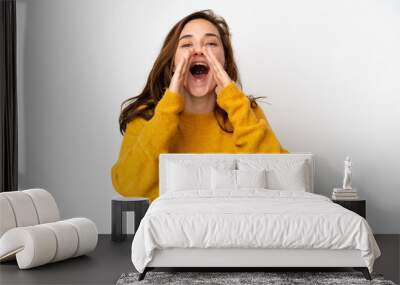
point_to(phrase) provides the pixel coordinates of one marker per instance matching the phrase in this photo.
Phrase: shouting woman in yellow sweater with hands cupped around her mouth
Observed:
(191, 103)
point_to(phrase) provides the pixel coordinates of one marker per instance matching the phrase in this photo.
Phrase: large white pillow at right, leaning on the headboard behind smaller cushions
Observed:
(281, 174)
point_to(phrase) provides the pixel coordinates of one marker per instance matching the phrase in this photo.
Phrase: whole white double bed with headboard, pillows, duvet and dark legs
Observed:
(245, 211)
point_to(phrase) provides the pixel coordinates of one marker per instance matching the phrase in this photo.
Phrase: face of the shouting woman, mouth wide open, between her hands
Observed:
(196, 35)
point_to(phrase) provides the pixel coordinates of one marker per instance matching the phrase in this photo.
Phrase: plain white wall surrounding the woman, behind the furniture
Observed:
(330, 68)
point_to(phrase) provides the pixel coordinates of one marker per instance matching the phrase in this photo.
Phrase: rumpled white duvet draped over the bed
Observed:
(251, 218)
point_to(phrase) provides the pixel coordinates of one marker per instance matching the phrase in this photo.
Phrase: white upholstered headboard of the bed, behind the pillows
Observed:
(207, 157)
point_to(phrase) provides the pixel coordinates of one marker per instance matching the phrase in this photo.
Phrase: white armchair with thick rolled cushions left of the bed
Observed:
(31, 231)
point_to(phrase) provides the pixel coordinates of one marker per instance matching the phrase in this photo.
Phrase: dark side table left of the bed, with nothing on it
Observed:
(119, 207)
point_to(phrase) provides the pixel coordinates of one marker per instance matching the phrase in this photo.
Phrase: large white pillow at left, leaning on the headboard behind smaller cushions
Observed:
(188, 175)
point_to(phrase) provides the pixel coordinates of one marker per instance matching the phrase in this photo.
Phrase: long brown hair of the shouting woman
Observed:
(143, 105)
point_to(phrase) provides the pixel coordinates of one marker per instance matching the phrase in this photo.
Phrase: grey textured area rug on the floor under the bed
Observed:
(243, 278)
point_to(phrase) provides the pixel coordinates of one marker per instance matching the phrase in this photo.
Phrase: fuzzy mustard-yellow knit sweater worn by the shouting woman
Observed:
(173, 130)
